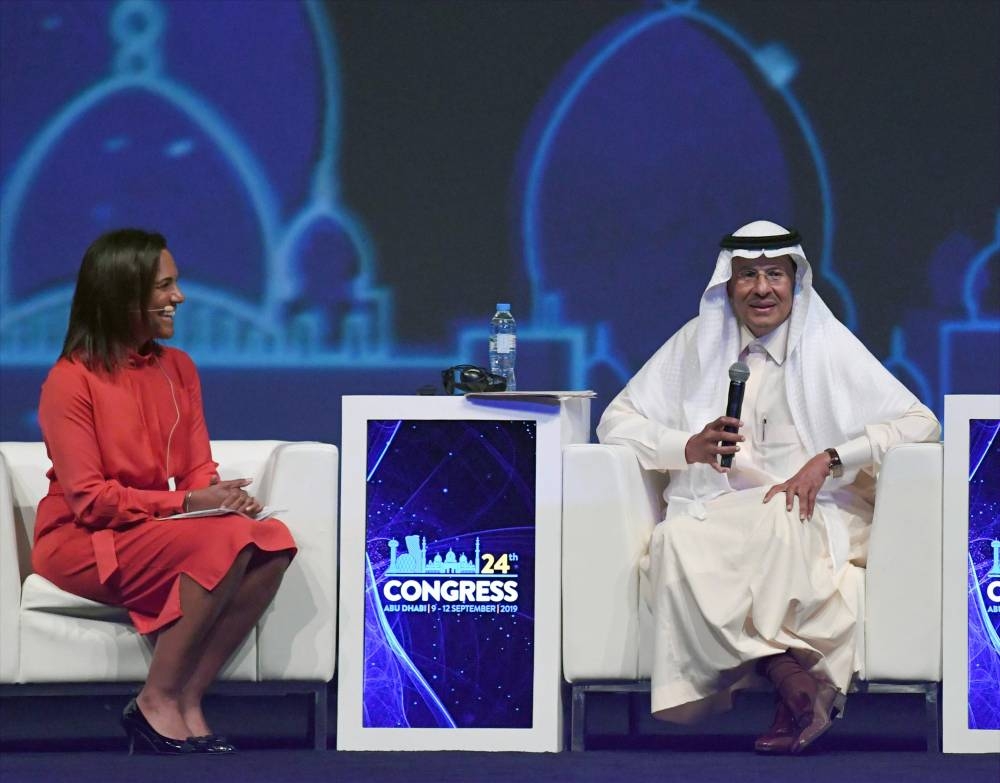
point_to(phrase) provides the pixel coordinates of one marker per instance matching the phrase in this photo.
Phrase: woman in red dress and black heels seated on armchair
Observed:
(122, 419)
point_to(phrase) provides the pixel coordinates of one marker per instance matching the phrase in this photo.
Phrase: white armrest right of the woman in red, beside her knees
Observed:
(297, 636)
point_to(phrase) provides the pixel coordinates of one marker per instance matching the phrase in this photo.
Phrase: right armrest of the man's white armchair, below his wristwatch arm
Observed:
(903, 577)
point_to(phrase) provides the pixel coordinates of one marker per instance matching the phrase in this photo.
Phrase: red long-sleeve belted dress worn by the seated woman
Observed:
(114, 439)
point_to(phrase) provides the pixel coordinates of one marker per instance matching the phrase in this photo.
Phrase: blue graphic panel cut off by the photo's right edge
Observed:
(984, 574)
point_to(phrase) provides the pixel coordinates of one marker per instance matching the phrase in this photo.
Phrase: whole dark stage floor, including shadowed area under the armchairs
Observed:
(880, 739)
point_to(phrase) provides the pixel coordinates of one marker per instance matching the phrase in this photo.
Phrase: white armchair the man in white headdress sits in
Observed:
(610, 506)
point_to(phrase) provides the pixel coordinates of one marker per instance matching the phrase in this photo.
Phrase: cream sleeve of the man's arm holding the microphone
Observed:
(658, 447)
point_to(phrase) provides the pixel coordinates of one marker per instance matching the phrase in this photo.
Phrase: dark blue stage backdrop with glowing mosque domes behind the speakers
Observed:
(350, 187)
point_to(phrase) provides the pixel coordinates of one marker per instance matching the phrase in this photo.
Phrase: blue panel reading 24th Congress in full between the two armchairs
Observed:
(449, 599)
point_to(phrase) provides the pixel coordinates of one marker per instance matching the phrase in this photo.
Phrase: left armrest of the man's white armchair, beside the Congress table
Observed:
(610, 506)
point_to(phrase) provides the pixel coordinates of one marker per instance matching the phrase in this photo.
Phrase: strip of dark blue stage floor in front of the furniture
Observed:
(304, 766)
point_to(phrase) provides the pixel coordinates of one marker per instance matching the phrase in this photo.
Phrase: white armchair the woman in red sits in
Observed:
(51, 640)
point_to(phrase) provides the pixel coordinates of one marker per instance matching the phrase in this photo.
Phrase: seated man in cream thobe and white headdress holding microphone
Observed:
(758, 566)
